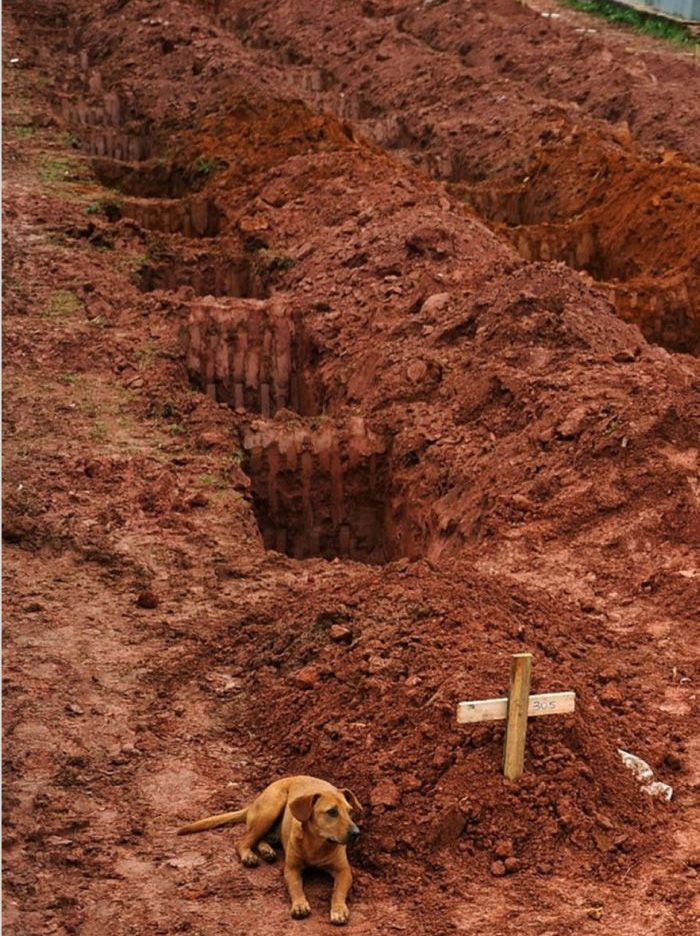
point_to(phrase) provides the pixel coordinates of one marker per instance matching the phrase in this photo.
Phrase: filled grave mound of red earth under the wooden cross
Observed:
(363, 691)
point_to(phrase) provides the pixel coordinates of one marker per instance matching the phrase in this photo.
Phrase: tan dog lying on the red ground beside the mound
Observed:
(311, 819)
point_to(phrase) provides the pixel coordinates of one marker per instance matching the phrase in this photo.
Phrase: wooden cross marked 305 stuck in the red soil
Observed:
(516, 709)
